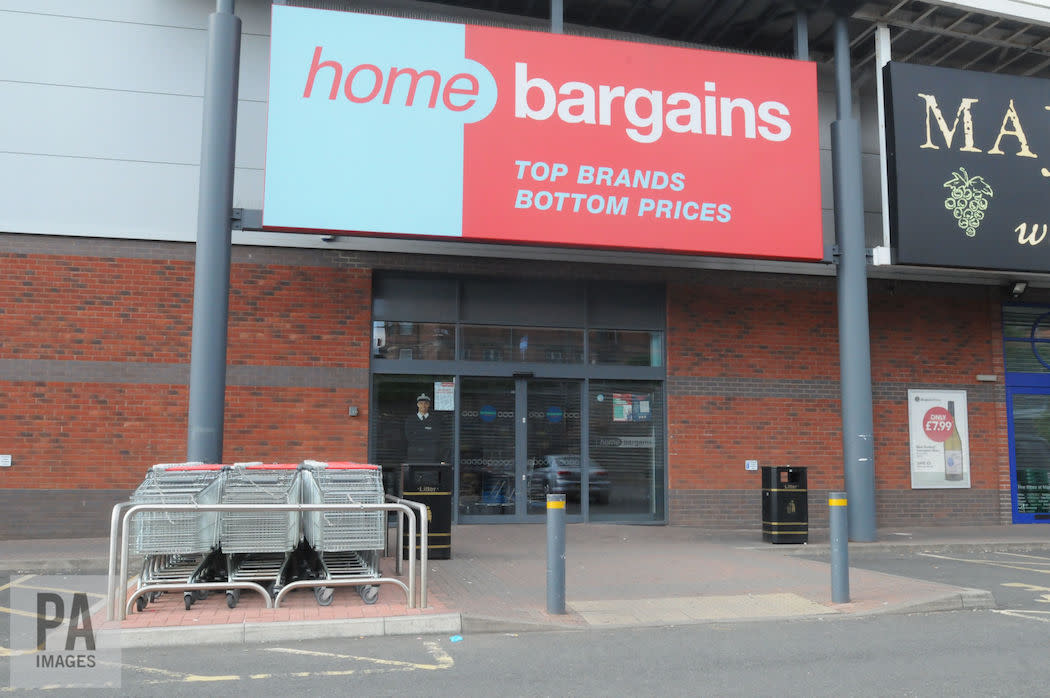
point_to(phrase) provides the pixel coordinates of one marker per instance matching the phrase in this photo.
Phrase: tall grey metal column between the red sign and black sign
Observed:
(855, 351)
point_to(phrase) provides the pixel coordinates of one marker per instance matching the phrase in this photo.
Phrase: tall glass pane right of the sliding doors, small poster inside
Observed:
(626, 427)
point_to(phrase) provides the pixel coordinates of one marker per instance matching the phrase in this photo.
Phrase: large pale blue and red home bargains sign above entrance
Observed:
(416, 129)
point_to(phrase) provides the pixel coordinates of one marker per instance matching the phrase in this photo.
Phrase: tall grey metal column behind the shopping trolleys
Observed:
(212, 274)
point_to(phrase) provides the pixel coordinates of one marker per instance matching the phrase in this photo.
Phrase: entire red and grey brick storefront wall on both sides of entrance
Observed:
(96, 351)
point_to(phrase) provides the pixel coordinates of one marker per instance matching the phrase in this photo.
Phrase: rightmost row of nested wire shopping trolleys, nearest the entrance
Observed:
(347, 544)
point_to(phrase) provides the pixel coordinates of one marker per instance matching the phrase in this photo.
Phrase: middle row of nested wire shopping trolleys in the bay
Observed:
(259, 545)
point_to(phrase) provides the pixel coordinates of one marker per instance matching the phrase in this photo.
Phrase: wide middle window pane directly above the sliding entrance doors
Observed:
(534, 345)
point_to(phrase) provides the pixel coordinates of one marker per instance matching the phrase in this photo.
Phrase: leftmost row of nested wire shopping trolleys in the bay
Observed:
(179, 546)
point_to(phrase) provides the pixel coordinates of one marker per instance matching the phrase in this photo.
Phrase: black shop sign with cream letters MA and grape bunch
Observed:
(970, 168)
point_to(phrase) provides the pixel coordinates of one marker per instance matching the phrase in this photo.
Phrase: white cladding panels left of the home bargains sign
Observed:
(101, 131)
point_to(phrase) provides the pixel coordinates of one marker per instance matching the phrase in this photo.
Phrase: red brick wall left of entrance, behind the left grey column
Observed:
(107, 318)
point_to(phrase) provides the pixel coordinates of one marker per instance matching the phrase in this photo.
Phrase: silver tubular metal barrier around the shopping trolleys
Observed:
(123, 514)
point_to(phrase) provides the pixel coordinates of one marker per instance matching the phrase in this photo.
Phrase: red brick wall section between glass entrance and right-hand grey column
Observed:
(760, 336)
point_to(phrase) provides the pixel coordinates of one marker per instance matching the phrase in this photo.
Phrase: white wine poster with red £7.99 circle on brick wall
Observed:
(940, 439)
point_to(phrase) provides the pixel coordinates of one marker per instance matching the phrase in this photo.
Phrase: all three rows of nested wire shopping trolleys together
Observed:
(264, 547)
